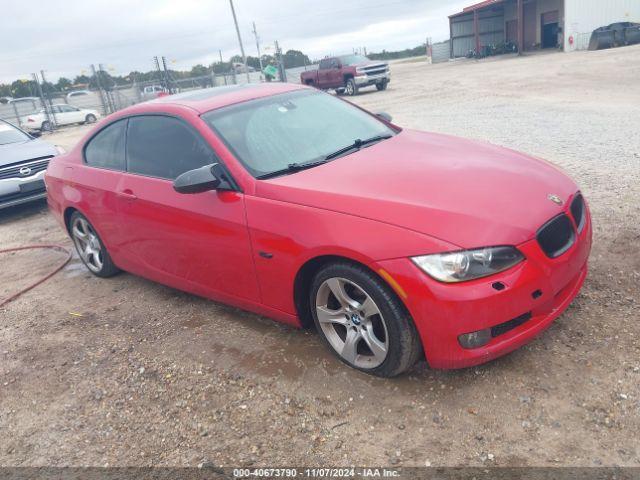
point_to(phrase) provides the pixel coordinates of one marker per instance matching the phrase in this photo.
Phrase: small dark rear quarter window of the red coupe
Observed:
(106, 149)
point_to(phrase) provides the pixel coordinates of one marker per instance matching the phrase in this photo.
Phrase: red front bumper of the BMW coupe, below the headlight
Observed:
(538, 289)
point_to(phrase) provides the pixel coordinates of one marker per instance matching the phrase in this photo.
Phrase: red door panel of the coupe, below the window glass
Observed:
(199, 239)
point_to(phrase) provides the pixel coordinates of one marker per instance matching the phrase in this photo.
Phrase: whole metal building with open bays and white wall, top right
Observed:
(535, 24)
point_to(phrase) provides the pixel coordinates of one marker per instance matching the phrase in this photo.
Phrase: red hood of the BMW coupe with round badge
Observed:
(467, 193)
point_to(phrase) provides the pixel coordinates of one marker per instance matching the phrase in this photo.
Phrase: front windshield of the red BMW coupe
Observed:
(269, 135)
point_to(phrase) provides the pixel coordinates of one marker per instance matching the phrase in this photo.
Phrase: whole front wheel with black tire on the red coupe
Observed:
(362, 321)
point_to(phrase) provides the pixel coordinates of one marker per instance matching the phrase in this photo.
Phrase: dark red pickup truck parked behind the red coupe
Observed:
(348, 74)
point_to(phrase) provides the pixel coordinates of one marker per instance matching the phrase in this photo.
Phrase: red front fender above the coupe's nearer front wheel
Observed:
(285, 236)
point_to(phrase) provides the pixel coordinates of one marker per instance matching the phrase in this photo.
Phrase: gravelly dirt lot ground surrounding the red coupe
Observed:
(128, 372)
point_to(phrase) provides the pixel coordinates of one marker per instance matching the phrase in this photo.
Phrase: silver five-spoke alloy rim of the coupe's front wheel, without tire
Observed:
(352, 323)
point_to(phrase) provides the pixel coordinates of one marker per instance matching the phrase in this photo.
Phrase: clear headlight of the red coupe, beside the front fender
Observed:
(467, 265)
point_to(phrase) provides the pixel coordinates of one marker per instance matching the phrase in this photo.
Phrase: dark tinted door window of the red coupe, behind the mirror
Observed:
(164, 147)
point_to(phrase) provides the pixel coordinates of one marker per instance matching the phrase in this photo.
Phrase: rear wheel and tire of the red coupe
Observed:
(90, 248)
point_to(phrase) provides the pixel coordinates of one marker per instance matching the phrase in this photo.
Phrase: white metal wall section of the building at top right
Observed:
(583, 16)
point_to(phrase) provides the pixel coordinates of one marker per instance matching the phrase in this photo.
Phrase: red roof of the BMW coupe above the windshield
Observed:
(208, 99)
